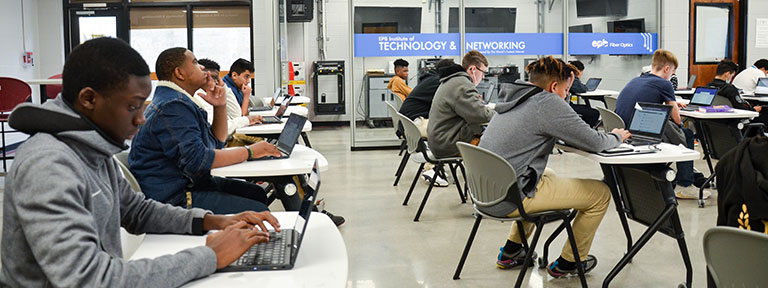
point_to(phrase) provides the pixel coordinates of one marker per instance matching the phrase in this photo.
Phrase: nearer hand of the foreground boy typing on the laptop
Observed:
(229, 244)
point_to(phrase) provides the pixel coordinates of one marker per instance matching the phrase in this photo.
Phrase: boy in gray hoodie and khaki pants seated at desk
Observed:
(531, 117)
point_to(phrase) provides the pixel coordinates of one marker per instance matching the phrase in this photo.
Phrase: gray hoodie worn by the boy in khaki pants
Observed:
(525, 134)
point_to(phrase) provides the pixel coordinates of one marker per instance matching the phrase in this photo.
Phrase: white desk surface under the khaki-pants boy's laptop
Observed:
(669, 153)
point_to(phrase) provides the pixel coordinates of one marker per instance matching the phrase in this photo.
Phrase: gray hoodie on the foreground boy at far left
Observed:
(64, 203)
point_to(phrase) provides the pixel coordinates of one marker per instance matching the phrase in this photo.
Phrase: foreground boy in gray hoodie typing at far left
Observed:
(65, 198)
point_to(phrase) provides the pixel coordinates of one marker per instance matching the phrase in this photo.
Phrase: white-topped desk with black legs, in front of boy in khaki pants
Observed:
(626, 176)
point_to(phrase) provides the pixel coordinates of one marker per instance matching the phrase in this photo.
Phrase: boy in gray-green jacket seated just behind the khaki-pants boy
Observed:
(458, 111)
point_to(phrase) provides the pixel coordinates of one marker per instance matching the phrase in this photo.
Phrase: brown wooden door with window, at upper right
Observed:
(715, 34)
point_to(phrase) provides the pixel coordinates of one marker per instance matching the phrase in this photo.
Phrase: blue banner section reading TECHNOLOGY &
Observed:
(407, 44)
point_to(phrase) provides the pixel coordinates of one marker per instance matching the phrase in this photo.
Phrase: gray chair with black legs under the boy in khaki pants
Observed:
(493, 188)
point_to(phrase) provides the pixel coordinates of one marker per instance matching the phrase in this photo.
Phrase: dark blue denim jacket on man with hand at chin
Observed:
(174, 150)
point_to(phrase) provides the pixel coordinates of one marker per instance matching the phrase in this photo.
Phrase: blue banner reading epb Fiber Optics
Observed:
(612, 43)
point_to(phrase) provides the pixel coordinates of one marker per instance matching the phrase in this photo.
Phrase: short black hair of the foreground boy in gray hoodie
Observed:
(103, 64)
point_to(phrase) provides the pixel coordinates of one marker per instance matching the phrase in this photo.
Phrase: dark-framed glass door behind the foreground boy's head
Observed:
(88, 23)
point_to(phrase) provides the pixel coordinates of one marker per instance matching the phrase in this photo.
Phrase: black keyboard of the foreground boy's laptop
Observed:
(271, 253)
